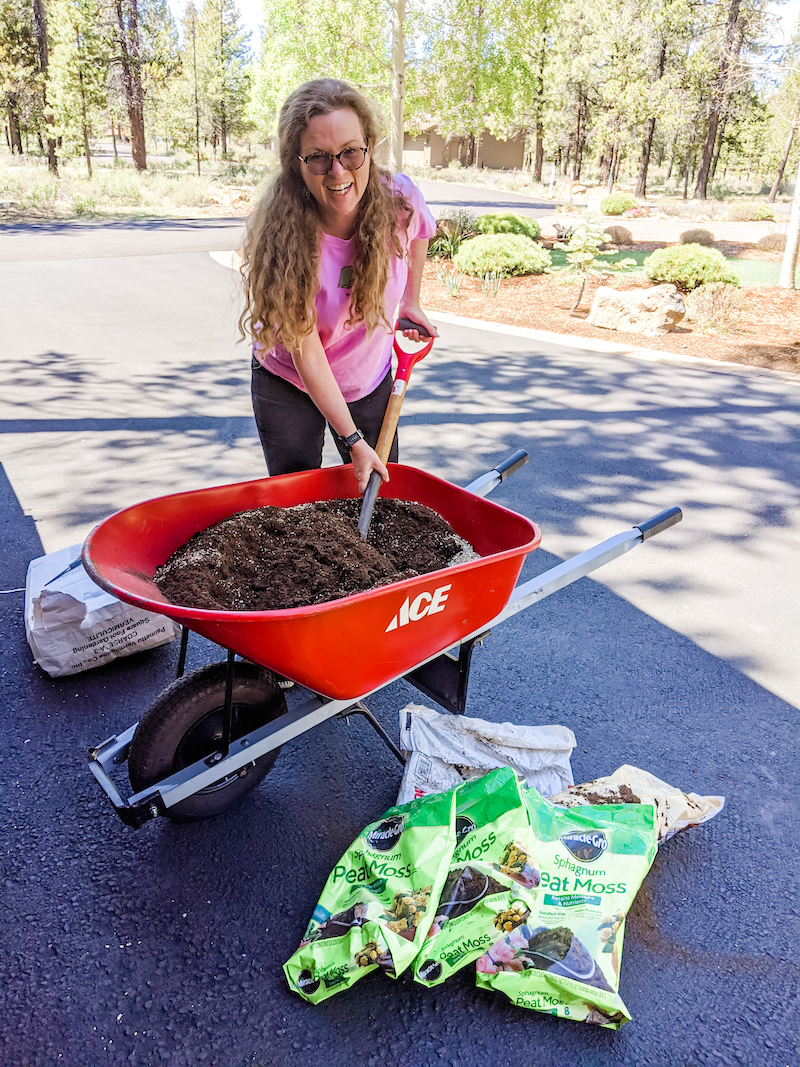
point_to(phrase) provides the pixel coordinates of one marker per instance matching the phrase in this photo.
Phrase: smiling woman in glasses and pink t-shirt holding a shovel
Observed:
(333, 251)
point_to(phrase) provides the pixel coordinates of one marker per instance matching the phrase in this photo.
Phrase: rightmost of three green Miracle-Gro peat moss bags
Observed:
(566, 959)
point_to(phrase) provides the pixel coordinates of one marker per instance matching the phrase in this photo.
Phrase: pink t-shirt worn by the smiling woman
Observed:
(360, 362)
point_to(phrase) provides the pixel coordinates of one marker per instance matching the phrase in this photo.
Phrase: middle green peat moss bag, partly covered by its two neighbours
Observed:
(492, 879)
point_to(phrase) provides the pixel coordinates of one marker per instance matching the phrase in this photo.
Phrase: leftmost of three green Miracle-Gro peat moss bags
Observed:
(375, 909)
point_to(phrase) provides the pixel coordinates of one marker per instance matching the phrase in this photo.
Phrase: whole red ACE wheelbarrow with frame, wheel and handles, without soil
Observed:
(214, 735)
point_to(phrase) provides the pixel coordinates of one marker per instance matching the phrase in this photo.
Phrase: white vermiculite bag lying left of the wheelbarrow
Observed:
(72, 625)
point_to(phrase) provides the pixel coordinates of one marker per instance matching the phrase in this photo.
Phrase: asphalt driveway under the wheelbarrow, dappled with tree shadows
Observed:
(123, 380)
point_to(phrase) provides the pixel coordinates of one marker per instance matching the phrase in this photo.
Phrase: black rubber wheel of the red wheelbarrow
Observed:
(186, 724)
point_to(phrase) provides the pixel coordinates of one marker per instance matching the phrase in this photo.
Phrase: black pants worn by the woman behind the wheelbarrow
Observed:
(293, 429)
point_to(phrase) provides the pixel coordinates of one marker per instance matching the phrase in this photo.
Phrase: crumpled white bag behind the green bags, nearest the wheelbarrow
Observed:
(443, 751)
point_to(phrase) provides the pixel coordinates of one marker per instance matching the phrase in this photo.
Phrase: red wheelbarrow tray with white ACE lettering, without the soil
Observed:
(342, 648)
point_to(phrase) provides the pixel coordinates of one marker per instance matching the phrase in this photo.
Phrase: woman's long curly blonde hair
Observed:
(282, 246)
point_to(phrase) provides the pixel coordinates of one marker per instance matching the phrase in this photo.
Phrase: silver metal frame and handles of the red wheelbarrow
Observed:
(442, 677)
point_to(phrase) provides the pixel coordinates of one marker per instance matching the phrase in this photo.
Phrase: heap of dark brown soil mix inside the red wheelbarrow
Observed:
(277, 559)
